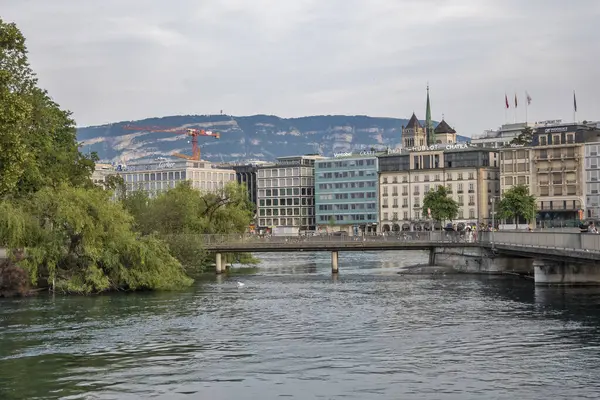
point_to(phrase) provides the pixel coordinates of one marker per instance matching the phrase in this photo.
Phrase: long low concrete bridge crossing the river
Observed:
(554, 257)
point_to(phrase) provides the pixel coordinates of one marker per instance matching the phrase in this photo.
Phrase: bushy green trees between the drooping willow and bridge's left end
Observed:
(180, 215)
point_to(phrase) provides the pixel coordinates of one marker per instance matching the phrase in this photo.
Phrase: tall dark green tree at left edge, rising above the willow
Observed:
(38, 147)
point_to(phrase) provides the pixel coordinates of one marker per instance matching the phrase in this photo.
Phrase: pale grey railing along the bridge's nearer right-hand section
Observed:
(555, 240)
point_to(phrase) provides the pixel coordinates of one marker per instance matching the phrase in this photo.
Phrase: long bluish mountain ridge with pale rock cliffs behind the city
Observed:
(262, 137)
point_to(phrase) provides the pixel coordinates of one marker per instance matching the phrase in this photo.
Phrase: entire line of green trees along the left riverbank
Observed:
(64, 233)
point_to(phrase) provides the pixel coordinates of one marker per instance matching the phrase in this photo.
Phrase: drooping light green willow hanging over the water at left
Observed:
(78, 241)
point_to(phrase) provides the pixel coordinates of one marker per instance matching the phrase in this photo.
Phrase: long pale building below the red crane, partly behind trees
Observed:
(163, 174)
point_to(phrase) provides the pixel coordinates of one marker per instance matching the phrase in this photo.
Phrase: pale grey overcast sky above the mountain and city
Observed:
(117, 60)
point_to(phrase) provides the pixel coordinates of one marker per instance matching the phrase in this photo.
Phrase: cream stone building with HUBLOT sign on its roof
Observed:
(471, 176)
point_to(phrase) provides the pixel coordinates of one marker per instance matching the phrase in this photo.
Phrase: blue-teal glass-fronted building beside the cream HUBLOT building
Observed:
(346, 193)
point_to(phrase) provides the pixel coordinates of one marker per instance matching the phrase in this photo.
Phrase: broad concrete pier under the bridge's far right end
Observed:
(561, 273)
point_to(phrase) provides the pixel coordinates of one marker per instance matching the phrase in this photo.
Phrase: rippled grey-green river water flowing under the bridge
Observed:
(294, 331)
